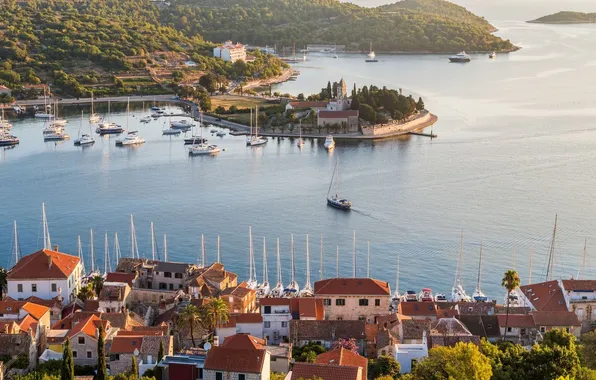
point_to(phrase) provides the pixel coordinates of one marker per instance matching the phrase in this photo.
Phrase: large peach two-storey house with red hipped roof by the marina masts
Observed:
(353, 298)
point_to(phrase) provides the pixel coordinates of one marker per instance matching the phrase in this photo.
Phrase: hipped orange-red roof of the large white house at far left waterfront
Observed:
(44, 264)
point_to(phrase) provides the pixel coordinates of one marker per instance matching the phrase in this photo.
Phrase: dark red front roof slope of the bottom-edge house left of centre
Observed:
(235, 360)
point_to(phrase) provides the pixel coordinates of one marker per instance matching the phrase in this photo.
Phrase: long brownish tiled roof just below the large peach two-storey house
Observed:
(331, 330)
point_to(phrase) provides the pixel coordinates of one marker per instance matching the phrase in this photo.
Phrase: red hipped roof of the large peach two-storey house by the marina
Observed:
(352, 286)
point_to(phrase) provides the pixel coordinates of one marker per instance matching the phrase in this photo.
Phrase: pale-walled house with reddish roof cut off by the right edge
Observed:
(582, 298)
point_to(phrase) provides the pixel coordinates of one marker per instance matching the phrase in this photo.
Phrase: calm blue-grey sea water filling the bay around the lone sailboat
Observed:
(515, 147)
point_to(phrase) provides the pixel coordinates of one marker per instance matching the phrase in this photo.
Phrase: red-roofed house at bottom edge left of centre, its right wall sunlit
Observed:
(240, 357)
